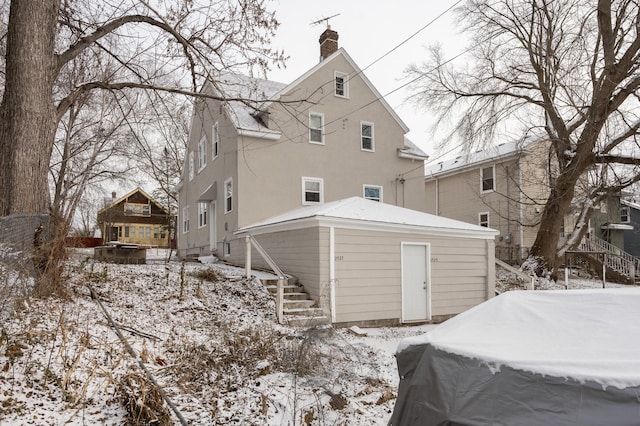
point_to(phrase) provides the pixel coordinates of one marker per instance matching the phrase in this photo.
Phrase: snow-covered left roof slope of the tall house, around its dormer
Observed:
(258, 91)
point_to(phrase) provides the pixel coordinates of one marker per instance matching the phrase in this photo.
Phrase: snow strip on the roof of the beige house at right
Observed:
(495, 153)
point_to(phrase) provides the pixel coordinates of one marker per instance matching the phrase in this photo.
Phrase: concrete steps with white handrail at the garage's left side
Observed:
(299, 308)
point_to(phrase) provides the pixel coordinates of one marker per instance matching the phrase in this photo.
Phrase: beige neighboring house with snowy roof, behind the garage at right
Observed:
(504, 188)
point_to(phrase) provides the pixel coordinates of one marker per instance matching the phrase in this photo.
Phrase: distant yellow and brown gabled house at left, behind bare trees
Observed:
(135, 218)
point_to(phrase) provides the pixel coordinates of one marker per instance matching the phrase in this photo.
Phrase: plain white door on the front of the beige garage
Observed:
(416, 289)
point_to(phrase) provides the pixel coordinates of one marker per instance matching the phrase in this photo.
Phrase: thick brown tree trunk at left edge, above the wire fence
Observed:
(28, 120)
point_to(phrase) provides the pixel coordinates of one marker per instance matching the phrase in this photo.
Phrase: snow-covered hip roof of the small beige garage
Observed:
(373, 212)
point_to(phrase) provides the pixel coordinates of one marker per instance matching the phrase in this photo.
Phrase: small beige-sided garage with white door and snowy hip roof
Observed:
(371, 263)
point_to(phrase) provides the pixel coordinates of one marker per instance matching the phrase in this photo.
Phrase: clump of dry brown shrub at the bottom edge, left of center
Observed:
(142, 401)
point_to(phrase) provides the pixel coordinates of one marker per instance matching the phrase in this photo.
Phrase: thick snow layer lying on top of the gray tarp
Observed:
(587, 335)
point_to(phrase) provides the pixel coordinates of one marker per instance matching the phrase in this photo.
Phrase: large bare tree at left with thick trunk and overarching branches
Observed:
(188, 39)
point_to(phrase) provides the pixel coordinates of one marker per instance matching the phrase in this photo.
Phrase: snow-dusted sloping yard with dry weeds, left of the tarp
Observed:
(207, 336)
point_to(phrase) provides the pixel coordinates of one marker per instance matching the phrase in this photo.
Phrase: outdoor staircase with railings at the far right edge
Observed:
(621, 266)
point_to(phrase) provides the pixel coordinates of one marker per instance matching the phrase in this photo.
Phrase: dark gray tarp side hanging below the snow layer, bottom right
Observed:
(441, 388)
